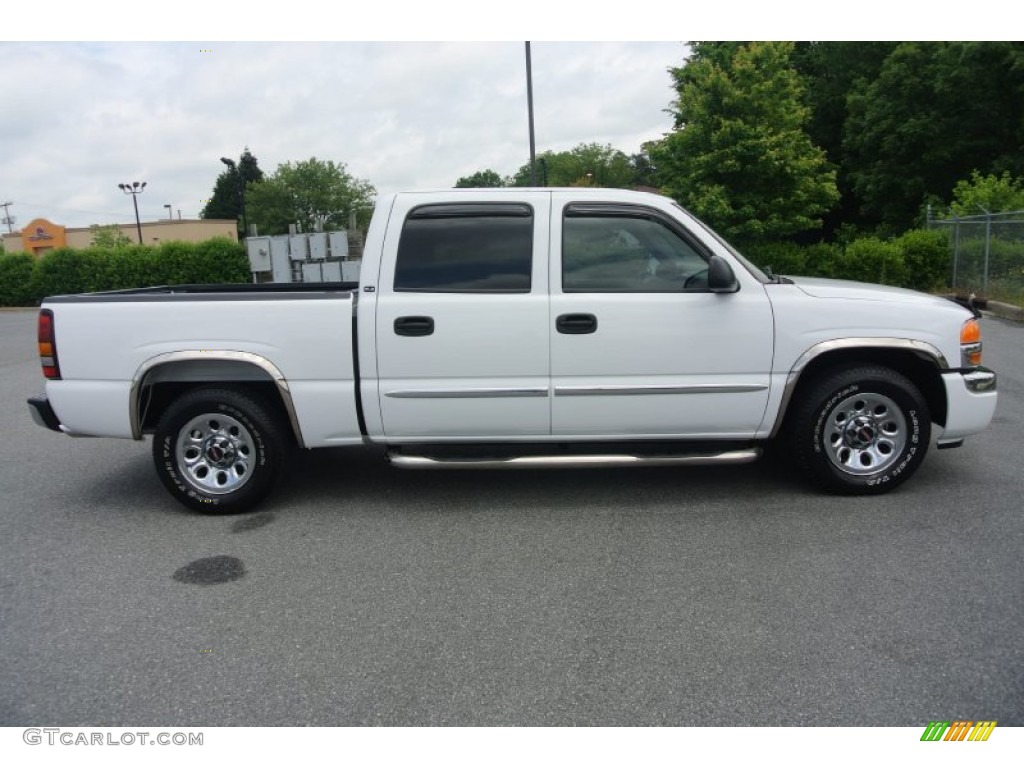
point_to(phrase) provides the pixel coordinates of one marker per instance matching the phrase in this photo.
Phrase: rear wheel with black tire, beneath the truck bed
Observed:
(220, 451)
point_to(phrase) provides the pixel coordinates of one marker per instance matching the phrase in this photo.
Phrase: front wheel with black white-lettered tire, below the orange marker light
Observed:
(863, 430)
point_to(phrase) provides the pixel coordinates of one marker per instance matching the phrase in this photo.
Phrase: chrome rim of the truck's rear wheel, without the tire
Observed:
(216, 453)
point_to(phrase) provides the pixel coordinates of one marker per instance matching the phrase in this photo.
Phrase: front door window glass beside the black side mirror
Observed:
(619, 252)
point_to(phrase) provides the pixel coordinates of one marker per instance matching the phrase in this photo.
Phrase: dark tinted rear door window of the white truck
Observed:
(479, 248)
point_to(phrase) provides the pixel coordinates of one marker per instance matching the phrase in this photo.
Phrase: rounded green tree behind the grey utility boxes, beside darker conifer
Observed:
(312, 194)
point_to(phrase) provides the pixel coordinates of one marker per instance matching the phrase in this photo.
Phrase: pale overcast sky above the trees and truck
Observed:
(76, 119)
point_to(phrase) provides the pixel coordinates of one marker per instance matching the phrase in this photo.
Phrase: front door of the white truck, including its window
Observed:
(639, 346)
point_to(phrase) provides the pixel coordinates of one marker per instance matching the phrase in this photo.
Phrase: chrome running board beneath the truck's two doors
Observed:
(744, 456)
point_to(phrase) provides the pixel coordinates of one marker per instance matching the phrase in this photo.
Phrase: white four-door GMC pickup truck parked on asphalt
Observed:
(507, 328)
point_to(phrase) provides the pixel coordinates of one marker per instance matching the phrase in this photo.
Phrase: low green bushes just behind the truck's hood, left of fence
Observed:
(919, 260)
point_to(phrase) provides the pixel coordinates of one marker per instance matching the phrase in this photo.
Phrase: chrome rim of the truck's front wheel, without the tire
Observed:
(865, 434)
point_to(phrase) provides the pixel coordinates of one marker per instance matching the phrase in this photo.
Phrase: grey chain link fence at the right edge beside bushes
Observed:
(988, 254)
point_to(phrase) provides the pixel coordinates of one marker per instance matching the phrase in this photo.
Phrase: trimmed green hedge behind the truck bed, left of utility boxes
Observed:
(25, 281)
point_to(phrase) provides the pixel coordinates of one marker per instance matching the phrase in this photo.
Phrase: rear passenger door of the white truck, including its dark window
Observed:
(462, 319)
